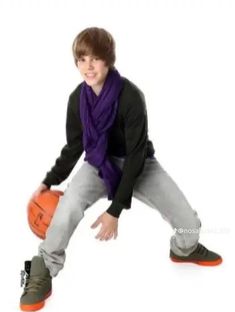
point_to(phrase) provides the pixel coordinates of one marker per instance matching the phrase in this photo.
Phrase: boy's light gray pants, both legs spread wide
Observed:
(154, 187)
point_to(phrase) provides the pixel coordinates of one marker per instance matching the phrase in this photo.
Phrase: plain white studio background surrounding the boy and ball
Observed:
(181, 54)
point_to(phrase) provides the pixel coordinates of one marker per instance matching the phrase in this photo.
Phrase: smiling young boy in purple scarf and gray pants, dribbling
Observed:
(107, 118)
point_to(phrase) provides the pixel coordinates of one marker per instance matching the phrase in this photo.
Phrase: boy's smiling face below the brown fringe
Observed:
(93, 70)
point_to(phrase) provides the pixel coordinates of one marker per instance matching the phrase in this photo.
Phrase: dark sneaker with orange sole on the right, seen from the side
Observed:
(201, 255)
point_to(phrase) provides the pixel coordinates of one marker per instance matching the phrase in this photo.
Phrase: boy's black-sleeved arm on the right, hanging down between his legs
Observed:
(136, 128)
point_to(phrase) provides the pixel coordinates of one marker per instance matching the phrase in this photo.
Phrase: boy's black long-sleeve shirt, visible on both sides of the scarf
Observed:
(128, 138)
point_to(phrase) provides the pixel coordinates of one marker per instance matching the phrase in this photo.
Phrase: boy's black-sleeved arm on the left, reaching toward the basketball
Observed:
(71, 152)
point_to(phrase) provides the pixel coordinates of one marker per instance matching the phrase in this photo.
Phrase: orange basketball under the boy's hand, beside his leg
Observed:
(41, 210)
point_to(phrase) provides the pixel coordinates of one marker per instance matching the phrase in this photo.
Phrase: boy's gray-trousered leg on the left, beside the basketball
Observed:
(85, 189)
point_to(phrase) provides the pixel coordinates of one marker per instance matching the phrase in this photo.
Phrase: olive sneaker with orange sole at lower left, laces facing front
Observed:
(38, 285)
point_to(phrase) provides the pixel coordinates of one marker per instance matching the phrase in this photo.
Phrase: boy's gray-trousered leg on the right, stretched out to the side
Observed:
(156, 188)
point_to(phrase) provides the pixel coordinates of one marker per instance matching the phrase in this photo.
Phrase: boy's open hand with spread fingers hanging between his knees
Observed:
(109, 226)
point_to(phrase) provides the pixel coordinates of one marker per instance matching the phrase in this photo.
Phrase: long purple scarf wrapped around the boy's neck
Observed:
(97, 116)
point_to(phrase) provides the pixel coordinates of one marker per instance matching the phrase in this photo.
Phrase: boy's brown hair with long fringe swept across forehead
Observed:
(97, 42)
